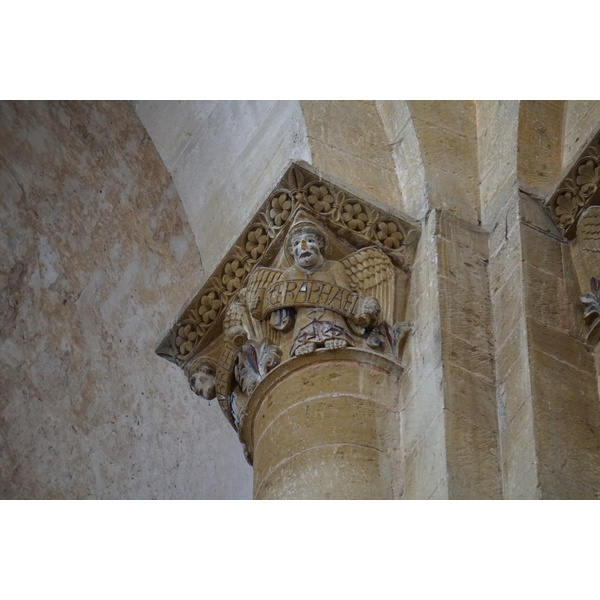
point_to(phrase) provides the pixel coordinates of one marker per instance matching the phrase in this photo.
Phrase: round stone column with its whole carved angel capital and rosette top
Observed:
(299, 334)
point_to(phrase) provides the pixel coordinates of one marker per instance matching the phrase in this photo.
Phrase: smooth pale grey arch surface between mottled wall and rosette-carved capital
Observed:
(216, 174)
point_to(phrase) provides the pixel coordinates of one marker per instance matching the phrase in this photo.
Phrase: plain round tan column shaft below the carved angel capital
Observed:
(322, 426)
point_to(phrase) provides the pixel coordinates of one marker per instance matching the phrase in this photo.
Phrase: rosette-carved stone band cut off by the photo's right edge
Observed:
(578, 190)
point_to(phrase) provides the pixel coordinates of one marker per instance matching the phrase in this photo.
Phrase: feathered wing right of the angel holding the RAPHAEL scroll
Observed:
(371, 274)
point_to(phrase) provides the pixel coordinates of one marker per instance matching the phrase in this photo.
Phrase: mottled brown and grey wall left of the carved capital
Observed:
(97, 259)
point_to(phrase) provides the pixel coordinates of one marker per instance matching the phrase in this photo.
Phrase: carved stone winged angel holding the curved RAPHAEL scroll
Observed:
(326, 302)
